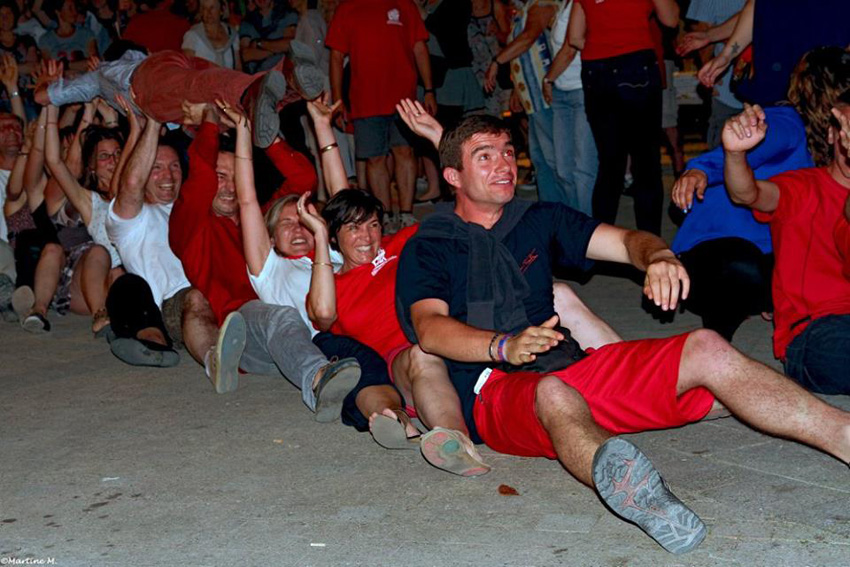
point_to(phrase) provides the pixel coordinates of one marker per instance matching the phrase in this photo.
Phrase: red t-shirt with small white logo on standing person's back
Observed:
(378, 36)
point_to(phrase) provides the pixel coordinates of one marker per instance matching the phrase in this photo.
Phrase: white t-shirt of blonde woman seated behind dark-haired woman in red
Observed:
(286, 281)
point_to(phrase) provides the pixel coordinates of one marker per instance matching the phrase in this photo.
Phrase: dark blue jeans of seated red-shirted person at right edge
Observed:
(819, 357)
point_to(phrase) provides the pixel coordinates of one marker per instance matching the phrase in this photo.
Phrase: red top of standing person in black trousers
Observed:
(616, 27)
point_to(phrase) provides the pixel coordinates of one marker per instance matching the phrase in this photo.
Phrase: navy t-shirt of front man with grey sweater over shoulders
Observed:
(548, 235)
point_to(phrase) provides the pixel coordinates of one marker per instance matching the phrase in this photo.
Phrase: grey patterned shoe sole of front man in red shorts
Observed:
(629, 484)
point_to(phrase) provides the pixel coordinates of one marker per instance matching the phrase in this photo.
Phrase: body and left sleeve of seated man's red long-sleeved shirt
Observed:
(209, 246)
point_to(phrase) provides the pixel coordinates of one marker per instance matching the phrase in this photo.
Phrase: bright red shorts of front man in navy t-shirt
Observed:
(628, 386)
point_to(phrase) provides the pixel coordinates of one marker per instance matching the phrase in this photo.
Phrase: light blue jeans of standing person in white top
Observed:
(575, 150)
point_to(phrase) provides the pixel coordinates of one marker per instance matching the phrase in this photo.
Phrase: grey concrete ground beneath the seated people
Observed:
(109, 465)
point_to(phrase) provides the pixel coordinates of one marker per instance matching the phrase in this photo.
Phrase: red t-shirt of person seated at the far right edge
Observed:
(807, 278)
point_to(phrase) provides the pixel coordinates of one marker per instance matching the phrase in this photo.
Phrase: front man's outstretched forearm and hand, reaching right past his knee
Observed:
(666, 277)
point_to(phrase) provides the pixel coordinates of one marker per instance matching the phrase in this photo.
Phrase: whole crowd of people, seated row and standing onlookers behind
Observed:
(238, 182)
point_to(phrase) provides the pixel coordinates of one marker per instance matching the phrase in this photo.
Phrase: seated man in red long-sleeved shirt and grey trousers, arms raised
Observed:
(205, 233)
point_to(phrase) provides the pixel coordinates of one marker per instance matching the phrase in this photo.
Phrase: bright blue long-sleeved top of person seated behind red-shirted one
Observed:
(783, 149)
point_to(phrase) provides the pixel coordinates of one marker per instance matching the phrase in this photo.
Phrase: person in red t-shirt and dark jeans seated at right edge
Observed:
(811, 296)
